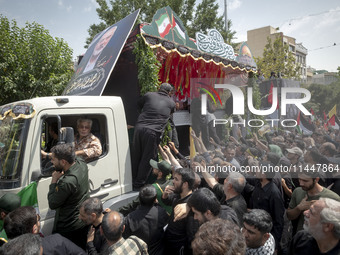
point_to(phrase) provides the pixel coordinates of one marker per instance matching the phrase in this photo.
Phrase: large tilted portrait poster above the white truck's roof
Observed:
(96, 66)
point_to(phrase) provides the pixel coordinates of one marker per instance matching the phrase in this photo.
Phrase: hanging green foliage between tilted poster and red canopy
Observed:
(148, 66)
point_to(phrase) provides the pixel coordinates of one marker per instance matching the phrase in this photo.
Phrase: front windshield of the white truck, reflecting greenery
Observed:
(13, 133)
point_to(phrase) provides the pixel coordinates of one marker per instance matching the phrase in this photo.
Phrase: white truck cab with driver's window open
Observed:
(24, 132)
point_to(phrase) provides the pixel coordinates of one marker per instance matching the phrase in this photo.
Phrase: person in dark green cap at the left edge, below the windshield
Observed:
(8, 203)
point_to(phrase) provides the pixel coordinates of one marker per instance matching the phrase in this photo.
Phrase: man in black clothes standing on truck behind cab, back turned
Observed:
(157, 108)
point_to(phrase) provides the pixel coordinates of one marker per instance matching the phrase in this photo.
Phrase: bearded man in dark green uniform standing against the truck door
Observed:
(68, 189)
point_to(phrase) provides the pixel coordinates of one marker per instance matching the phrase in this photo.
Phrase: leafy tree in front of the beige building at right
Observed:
(278, 58)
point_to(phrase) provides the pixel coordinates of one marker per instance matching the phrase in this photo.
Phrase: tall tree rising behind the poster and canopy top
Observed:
(206, 16)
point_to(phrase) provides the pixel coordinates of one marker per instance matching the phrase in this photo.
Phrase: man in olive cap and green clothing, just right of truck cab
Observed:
(161, 170)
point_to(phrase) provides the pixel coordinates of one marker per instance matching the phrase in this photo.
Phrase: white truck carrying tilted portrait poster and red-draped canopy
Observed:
(106, 92)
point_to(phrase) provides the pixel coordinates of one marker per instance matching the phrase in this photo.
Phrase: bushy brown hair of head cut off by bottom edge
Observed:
(219, 237)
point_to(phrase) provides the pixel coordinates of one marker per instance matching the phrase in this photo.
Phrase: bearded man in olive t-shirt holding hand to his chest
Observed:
(305, 195)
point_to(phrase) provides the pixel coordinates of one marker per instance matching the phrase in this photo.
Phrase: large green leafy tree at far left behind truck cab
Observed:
(32, 62)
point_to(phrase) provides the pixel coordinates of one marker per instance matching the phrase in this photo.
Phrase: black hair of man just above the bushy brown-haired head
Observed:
(203, 200)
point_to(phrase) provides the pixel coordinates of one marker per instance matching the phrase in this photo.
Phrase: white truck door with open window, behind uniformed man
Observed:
(104, 177)
